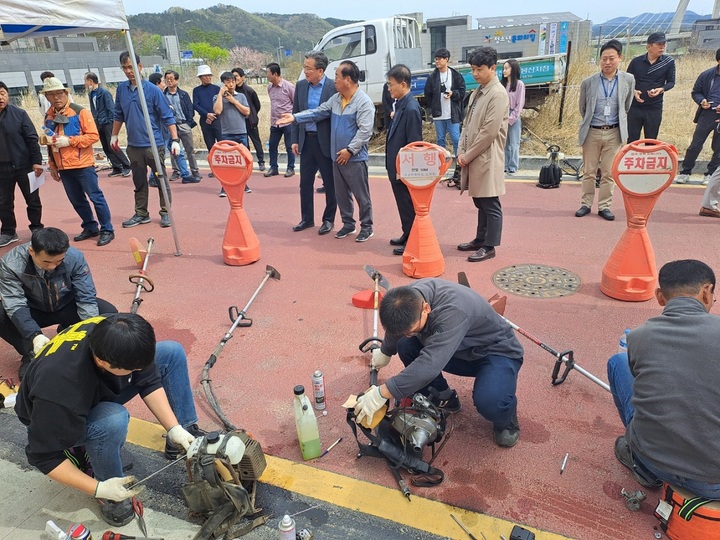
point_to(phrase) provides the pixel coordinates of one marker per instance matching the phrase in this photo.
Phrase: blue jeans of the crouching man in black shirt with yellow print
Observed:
(107, 423)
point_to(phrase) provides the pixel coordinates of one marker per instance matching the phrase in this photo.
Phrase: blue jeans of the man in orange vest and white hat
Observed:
(81, 185)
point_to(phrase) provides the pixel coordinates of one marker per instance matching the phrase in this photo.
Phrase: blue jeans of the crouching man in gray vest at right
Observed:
(621, 381)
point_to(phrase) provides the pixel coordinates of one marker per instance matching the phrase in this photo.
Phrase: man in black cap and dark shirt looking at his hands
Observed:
(654, 74)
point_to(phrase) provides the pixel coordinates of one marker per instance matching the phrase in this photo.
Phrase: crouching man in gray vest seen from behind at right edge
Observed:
(666, 386)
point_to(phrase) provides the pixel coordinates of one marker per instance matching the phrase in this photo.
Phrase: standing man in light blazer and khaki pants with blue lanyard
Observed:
(605, 100)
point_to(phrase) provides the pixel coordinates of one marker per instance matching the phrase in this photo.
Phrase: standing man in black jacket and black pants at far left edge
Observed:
(19, 155)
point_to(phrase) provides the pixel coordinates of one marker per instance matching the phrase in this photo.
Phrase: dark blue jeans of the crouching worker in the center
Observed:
(495, 381)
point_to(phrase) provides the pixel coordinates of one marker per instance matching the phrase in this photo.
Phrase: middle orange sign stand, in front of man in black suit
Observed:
(420, 166)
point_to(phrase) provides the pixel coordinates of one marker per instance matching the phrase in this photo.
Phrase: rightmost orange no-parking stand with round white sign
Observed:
(642, 170)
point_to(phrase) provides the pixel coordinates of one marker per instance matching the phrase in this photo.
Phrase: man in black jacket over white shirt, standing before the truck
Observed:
(444, 92)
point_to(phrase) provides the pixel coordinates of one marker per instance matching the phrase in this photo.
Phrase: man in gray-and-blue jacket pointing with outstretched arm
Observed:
(352, 116)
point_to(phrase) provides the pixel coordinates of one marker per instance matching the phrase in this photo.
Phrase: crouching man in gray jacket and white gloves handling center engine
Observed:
(436, 326)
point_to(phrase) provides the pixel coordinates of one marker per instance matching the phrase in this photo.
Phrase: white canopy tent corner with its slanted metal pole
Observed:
(40, 18)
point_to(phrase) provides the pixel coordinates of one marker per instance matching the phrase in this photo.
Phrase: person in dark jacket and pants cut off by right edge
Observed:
(706, 93)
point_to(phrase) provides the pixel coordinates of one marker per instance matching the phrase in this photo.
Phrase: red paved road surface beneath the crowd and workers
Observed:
(306, 322)
